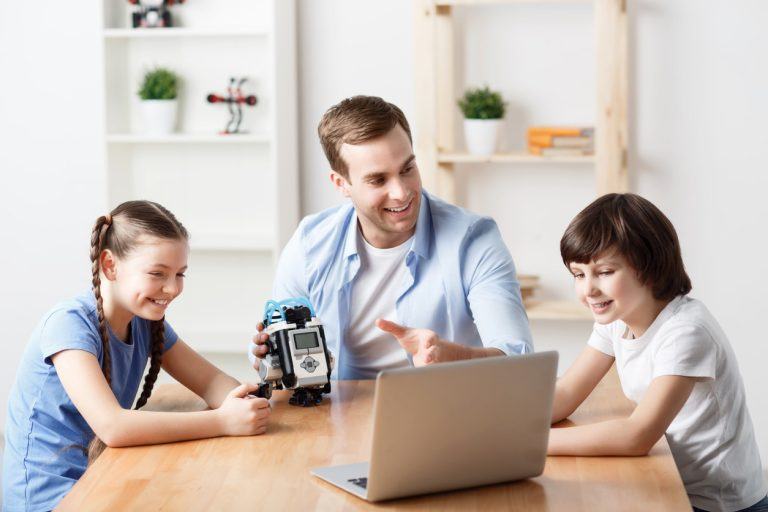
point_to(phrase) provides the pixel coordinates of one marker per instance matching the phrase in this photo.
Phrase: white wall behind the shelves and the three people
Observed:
(698, 110)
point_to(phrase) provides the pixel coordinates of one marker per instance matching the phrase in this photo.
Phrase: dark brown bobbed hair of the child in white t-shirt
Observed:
(633, 227)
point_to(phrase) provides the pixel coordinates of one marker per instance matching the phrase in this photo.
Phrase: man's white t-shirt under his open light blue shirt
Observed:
(374, 292)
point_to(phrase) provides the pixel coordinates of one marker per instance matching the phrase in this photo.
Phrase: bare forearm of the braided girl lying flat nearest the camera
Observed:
(132, 427)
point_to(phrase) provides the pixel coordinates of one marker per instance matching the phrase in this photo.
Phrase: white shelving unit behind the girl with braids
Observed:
(236, 194)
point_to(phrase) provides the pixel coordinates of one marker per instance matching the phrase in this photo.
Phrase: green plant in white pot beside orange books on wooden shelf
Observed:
(483, 111)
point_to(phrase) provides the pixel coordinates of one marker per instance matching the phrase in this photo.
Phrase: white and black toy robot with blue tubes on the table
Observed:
(298, 357)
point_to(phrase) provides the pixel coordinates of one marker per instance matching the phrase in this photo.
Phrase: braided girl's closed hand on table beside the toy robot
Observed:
(243, 415)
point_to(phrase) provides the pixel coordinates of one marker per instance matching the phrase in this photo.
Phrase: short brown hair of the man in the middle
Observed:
(355, 120)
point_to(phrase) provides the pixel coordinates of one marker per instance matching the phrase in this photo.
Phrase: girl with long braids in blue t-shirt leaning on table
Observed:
(83, 365)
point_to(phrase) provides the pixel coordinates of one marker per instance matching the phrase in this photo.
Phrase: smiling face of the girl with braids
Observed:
(148, 278)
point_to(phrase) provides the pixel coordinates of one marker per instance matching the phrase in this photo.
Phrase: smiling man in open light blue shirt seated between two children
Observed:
(398, 277)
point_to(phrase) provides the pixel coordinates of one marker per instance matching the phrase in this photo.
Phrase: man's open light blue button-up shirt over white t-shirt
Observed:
(461, 281)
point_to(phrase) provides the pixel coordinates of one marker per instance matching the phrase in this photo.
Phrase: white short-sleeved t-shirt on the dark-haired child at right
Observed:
(712, 438)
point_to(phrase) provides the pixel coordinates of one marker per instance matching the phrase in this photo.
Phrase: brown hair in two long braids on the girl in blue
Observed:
(120, 231)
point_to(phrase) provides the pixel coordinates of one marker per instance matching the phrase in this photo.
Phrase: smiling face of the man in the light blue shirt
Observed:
(384, 185)
